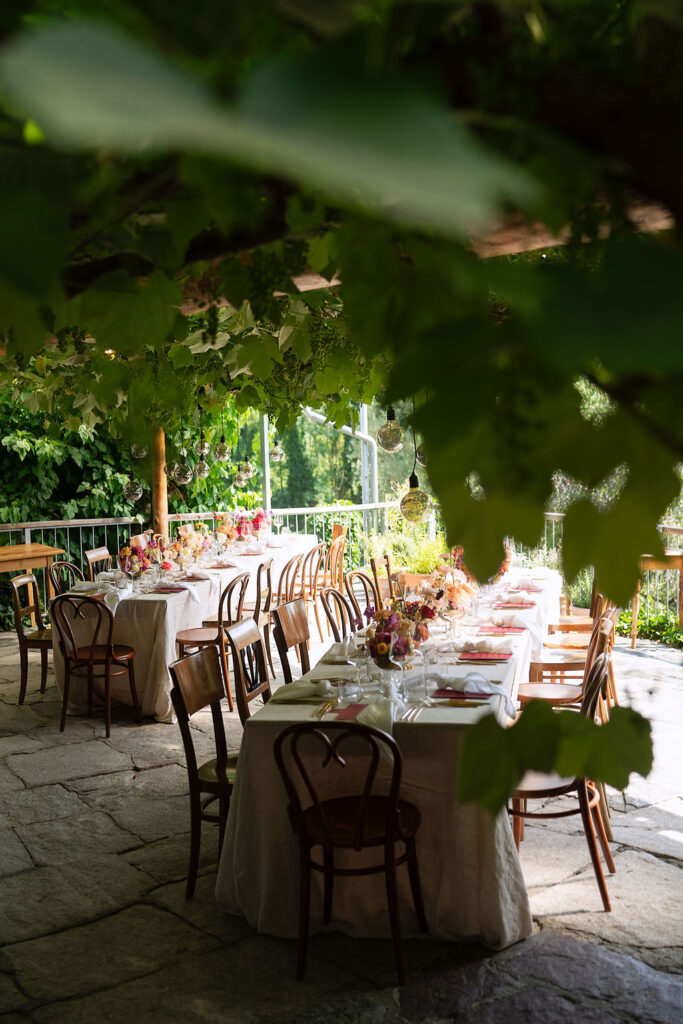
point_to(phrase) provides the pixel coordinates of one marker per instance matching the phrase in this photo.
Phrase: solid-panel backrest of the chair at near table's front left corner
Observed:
(198, 684)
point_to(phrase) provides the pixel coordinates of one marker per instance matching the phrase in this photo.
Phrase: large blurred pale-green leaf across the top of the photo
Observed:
(371, 143)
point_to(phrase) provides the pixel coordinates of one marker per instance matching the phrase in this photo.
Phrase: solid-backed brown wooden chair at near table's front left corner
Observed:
(198, 684)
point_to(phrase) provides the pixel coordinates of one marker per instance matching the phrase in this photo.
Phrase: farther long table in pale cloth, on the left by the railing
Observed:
(150, 624)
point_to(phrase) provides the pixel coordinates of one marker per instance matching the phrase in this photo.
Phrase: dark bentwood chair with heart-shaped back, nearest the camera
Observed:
(309, 755)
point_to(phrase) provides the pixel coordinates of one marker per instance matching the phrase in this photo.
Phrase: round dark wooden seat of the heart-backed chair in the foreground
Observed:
(343, 814)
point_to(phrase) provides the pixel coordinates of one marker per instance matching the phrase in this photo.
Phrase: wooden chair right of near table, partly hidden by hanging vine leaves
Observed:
(537, 786)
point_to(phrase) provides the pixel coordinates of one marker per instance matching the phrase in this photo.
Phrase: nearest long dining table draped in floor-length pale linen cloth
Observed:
(472, 877)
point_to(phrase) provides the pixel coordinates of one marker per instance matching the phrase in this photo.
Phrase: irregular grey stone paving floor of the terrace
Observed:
(95, 927)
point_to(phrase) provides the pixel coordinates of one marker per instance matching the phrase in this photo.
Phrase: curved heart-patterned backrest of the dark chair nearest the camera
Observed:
(310, 753)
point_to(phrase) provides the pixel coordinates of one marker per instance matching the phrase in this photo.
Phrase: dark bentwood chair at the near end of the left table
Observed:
(95, 659)
